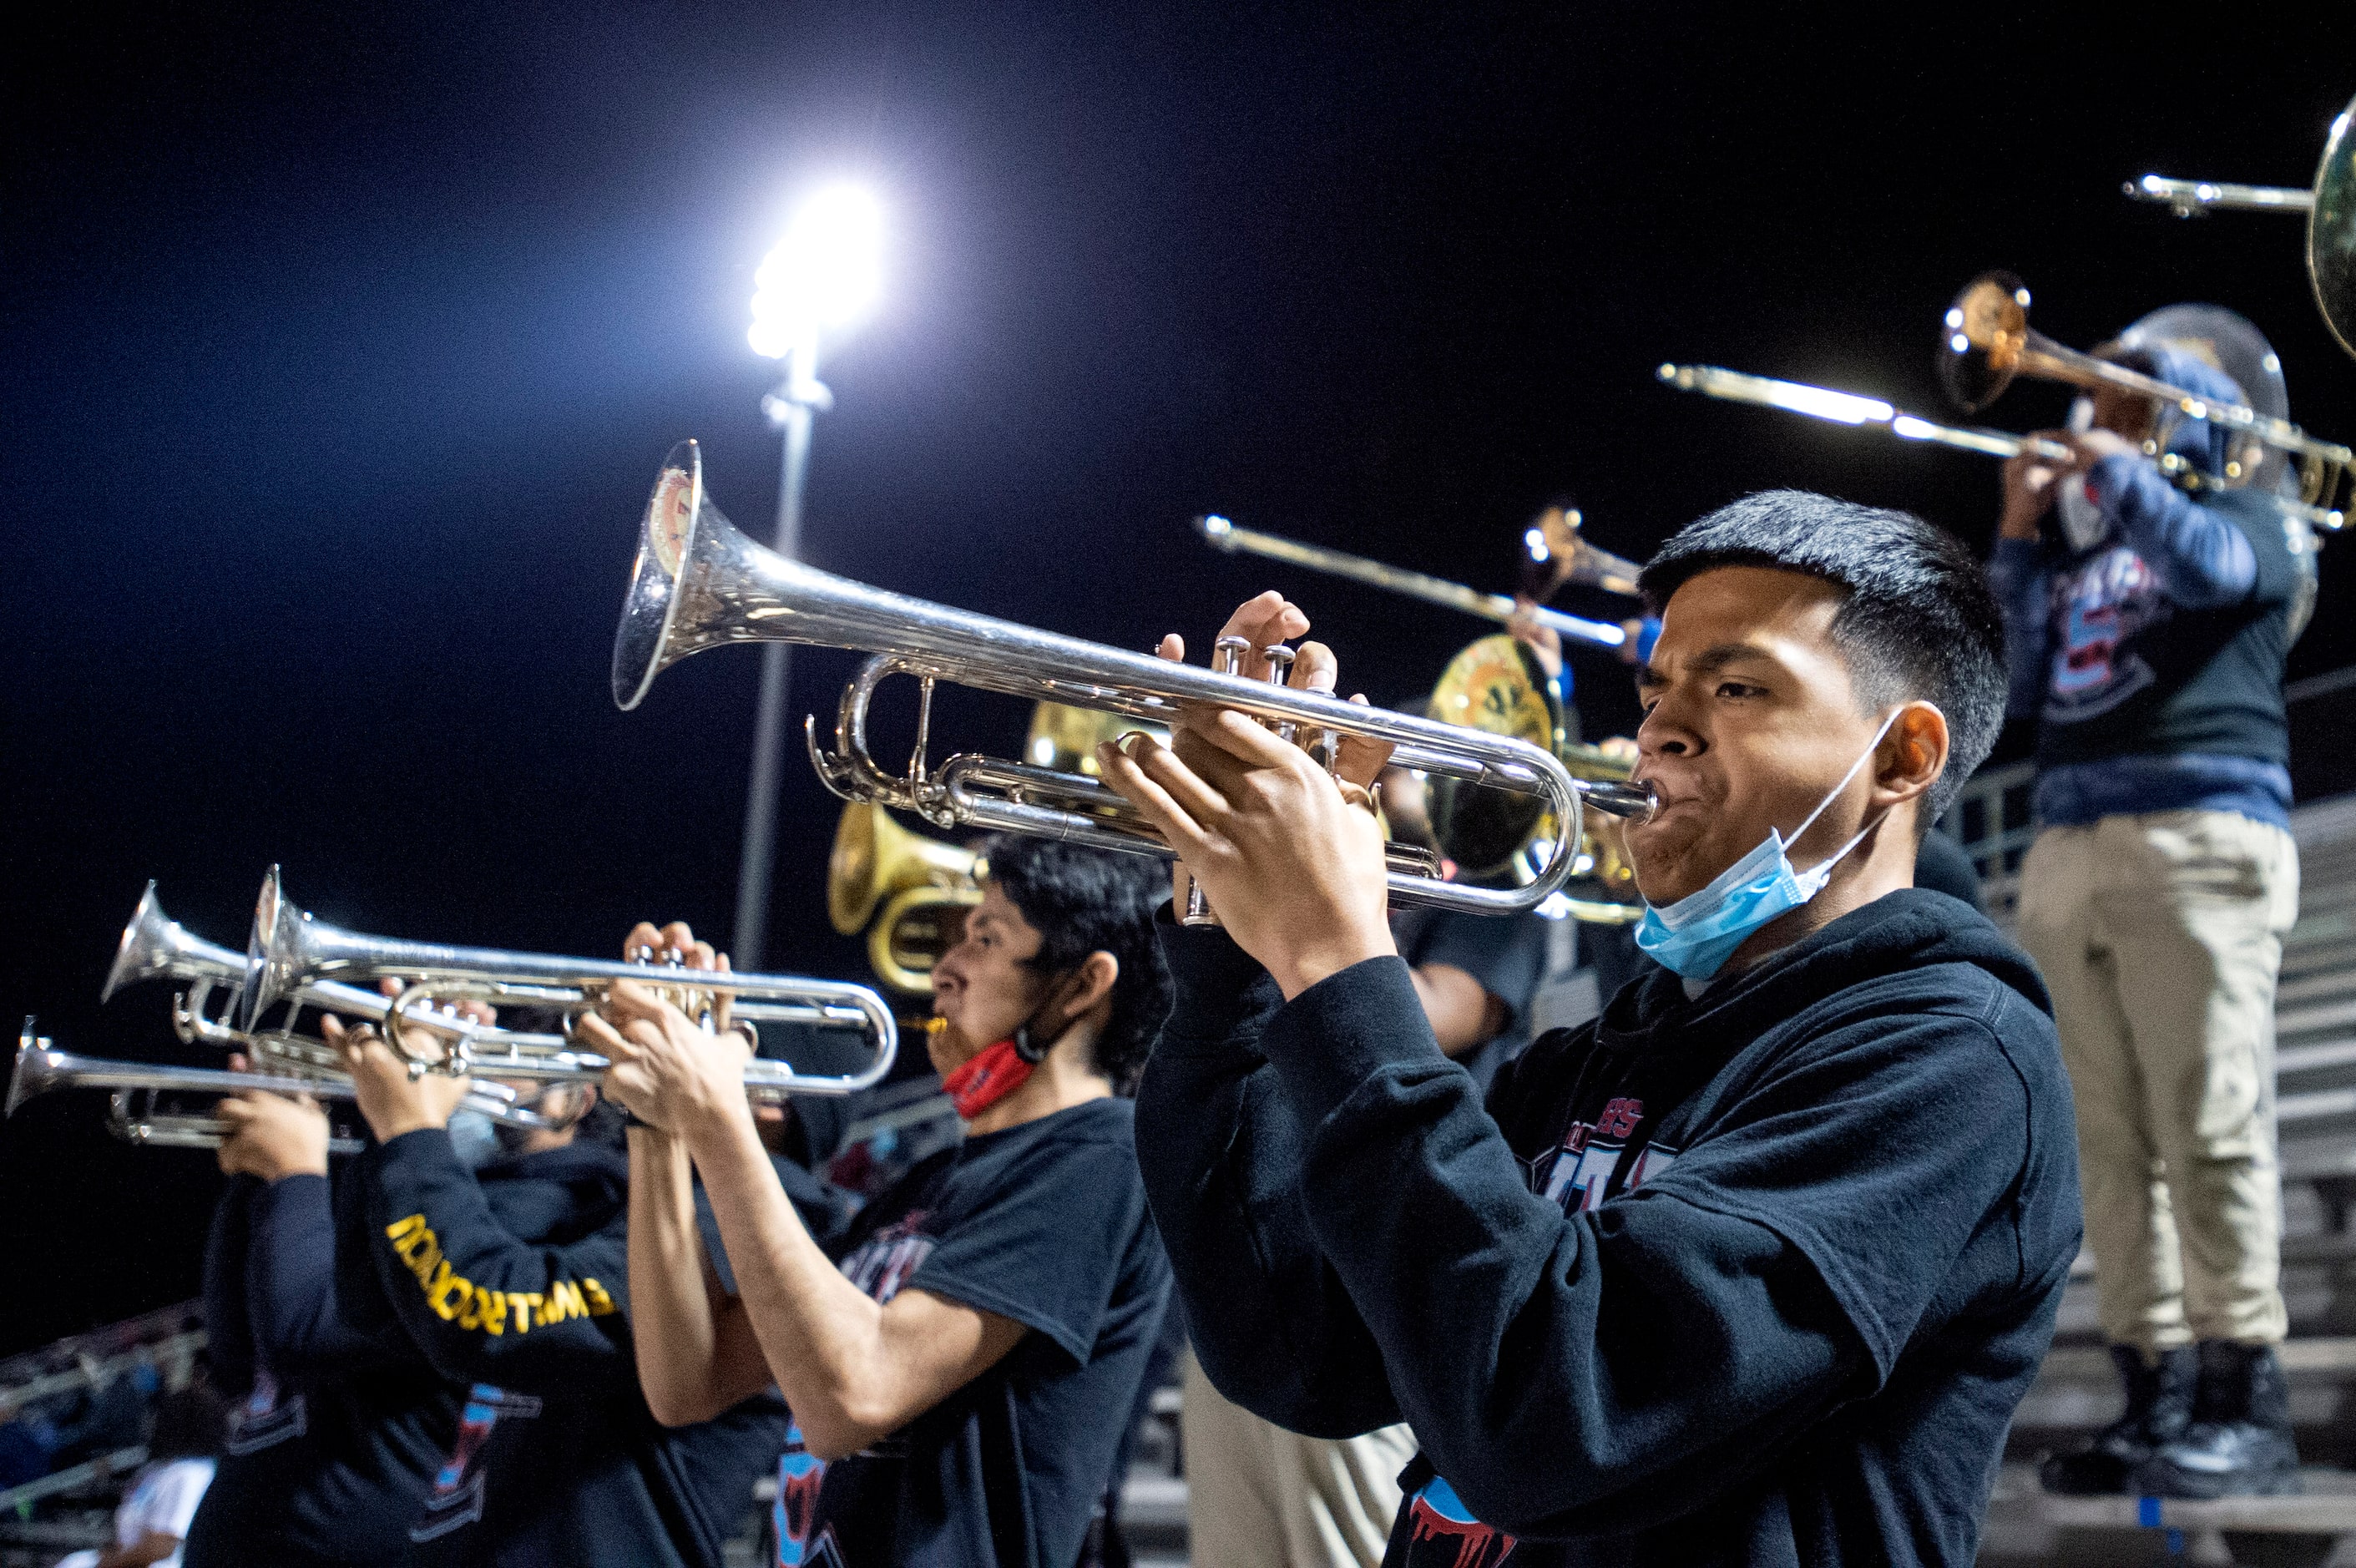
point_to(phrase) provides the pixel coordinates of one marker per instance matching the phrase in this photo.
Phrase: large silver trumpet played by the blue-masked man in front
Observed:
(699, 584)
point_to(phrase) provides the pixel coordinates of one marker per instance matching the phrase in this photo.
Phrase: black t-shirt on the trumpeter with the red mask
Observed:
(1043, 1225)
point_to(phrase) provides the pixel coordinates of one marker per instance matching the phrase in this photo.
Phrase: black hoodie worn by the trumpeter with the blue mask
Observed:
(1742, 1279)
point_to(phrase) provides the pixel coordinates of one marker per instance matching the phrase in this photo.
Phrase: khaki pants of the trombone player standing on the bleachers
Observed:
(2162, 937)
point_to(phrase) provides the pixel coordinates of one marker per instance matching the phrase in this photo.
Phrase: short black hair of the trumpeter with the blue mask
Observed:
(1919, 619)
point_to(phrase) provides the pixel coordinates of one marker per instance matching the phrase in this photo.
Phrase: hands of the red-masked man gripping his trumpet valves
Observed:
(668, 1069)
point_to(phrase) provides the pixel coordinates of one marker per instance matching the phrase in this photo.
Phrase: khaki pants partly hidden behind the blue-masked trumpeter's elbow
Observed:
(1269, 1498)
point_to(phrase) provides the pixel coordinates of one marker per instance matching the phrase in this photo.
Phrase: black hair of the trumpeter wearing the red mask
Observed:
(1094, 902)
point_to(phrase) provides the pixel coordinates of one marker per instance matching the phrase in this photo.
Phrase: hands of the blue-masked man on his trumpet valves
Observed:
(1290, 857)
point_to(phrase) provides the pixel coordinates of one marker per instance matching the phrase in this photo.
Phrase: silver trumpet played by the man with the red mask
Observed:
(293, 954)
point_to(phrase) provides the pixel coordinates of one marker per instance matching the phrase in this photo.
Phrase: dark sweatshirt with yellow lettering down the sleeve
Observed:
(515, 1286)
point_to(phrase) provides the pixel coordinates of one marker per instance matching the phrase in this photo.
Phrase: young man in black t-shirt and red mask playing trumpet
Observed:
(965, 1359)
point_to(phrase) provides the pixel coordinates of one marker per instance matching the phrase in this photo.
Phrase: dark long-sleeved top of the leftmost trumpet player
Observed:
(338, 1423)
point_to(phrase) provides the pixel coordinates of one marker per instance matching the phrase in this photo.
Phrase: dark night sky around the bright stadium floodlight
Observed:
(343, 343)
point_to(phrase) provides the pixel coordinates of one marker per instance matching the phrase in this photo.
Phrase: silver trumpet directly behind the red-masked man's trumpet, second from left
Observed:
(157, 947)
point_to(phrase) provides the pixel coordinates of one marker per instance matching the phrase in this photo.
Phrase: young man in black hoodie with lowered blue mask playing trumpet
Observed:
(1754, 1267)
